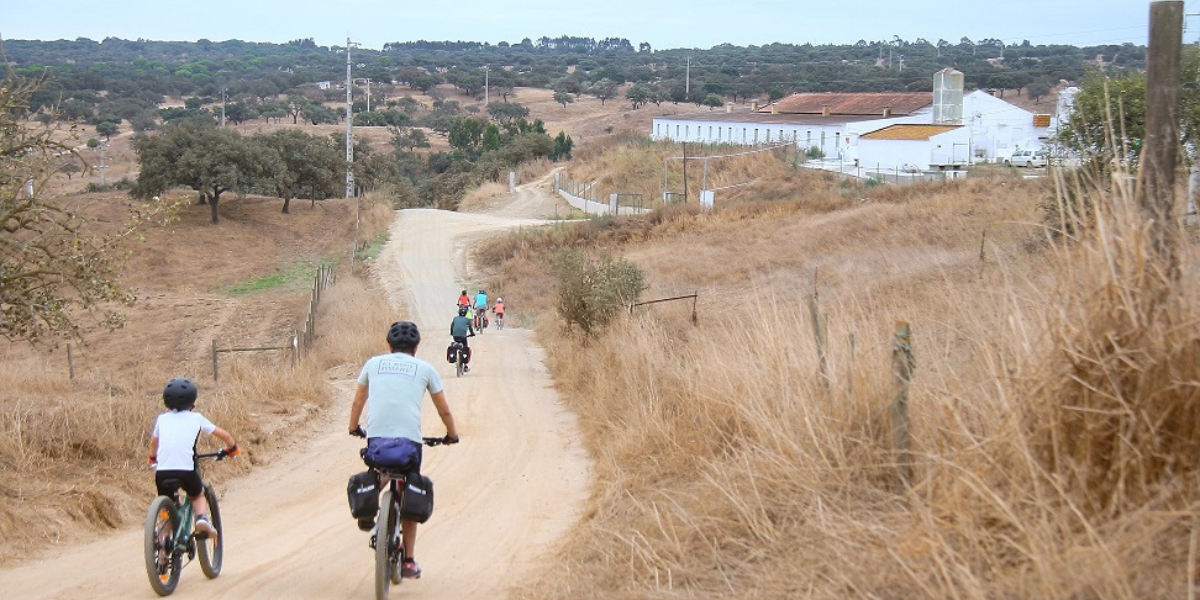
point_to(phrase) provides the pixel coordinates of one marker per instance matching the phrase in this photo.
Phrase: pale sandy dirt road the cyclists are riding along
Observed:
(503, 496)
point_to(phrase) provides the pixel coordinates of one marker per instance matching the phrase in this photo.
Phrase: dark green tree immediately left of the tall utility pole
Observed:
(308, 165)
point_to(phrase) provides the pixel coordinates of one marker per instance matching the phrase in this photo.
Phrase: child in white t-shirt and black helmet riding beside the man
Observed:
(173, 447)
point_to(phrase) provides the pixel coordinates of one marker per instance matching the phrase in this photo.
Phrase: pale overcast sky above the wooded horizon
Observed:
(663, 23)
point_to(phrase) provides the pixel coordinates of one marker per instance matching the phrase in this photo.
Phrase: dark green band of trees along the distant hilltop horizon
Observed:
(119, 80)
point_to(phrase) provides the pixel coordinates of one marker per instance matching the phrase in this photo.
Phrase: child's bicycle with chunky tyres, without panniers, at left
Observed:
(169, 536)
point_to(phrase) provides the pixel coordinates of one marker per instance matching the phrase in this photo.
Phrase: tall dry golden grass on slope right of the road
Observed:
(1054, 415)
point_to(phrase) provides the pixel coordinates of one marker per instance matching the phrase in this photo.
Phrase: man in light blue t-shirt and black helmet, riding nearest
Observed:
(393, 388)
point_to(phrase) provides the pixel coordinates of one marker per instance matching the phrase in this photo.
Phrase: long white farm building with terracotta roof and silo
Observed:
(975, 128)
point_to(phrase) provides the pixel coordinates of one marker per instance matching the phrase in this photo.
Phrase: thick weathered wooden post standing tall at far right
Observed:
(1160, 149)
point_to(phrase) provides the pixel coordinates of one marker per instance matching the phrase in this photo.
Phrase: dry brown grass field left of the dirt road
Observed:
(73, 452)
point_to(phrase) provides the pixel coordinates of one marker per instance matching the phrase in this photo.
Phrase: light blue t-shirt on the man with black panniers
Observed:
(397, 386)
